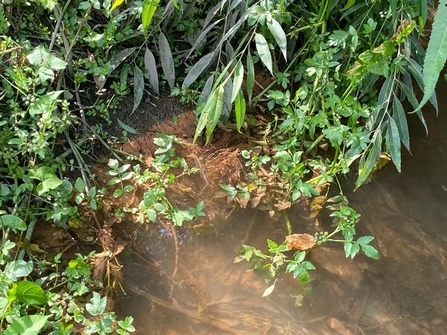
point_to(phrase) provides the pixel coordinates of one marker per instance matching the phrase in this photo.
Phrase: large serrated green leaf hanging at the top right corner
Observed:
(436, 55)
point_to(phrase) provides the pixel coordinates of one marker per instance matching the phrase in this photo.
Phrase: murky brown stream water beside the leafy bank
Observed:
(405, 292)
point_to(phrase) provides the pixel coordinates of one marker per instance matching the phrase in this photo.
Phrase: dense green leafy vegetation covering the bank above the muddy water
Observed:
(341, 77)
